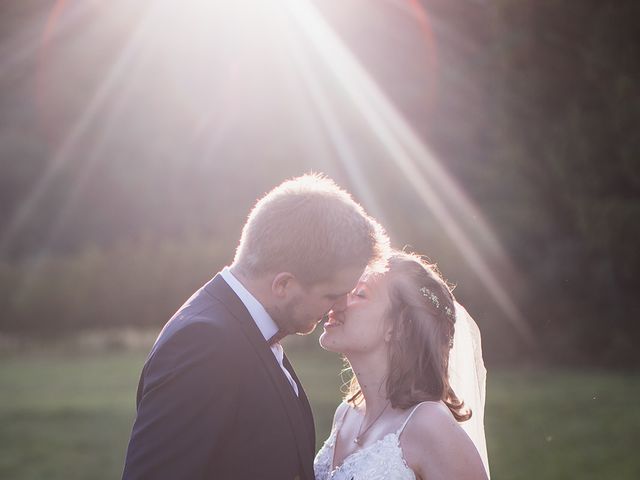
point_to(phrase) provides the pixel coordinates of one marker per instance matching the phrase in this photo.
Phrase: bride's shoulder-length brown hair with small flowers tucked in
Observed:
(422, 316)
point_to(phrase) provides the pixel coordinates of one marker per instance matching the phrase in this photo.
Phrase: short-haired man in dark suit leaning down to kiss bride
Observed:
(217, 398)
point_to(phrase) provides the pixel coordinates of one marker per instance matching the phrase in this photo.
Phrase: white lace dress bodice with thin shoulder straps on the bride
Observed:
(382, 460)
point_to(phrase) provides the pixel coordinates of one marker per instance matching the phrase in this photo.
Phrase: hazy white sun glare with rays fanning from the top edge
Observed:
(207, 65)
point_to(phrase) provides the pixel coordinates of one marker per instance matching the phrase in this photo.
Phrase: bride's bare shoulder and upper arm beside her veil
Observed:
(436, 447)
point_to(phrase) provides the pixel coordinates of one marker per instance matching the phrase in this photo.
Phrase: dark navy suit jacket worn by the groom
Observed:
(213, 402)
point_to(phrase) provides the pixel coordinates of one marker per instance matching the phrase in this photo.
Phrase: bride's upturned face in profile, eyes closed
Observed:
(359, 326)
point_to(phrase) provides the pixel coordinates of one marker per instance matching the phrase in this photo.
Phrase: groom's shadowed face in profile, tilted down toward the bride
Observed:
(309, 304)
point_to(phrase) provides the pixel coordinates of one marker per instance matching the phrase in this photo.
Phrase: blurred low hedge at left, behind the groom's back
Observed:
(134, 284)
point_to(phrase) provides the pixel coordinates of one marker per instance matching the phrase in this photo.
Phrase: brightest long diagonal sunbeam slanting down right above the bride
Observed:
(406, 150)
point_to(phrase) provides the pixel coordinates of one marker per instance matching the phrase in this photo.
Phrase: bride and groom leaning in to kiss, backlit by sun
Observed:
(218, 398)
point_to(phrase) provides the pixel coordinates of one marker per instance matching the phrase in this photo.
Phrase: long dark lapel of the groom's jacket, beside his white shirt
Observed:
(219, 289)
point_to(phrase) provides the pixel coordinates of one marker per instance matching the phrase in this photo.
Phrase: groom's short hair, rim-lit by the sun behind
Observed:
(310, 227)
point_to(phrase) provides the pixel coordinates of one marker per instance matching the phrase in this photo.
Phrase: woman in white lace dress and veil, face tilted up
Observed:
(415, 404)
